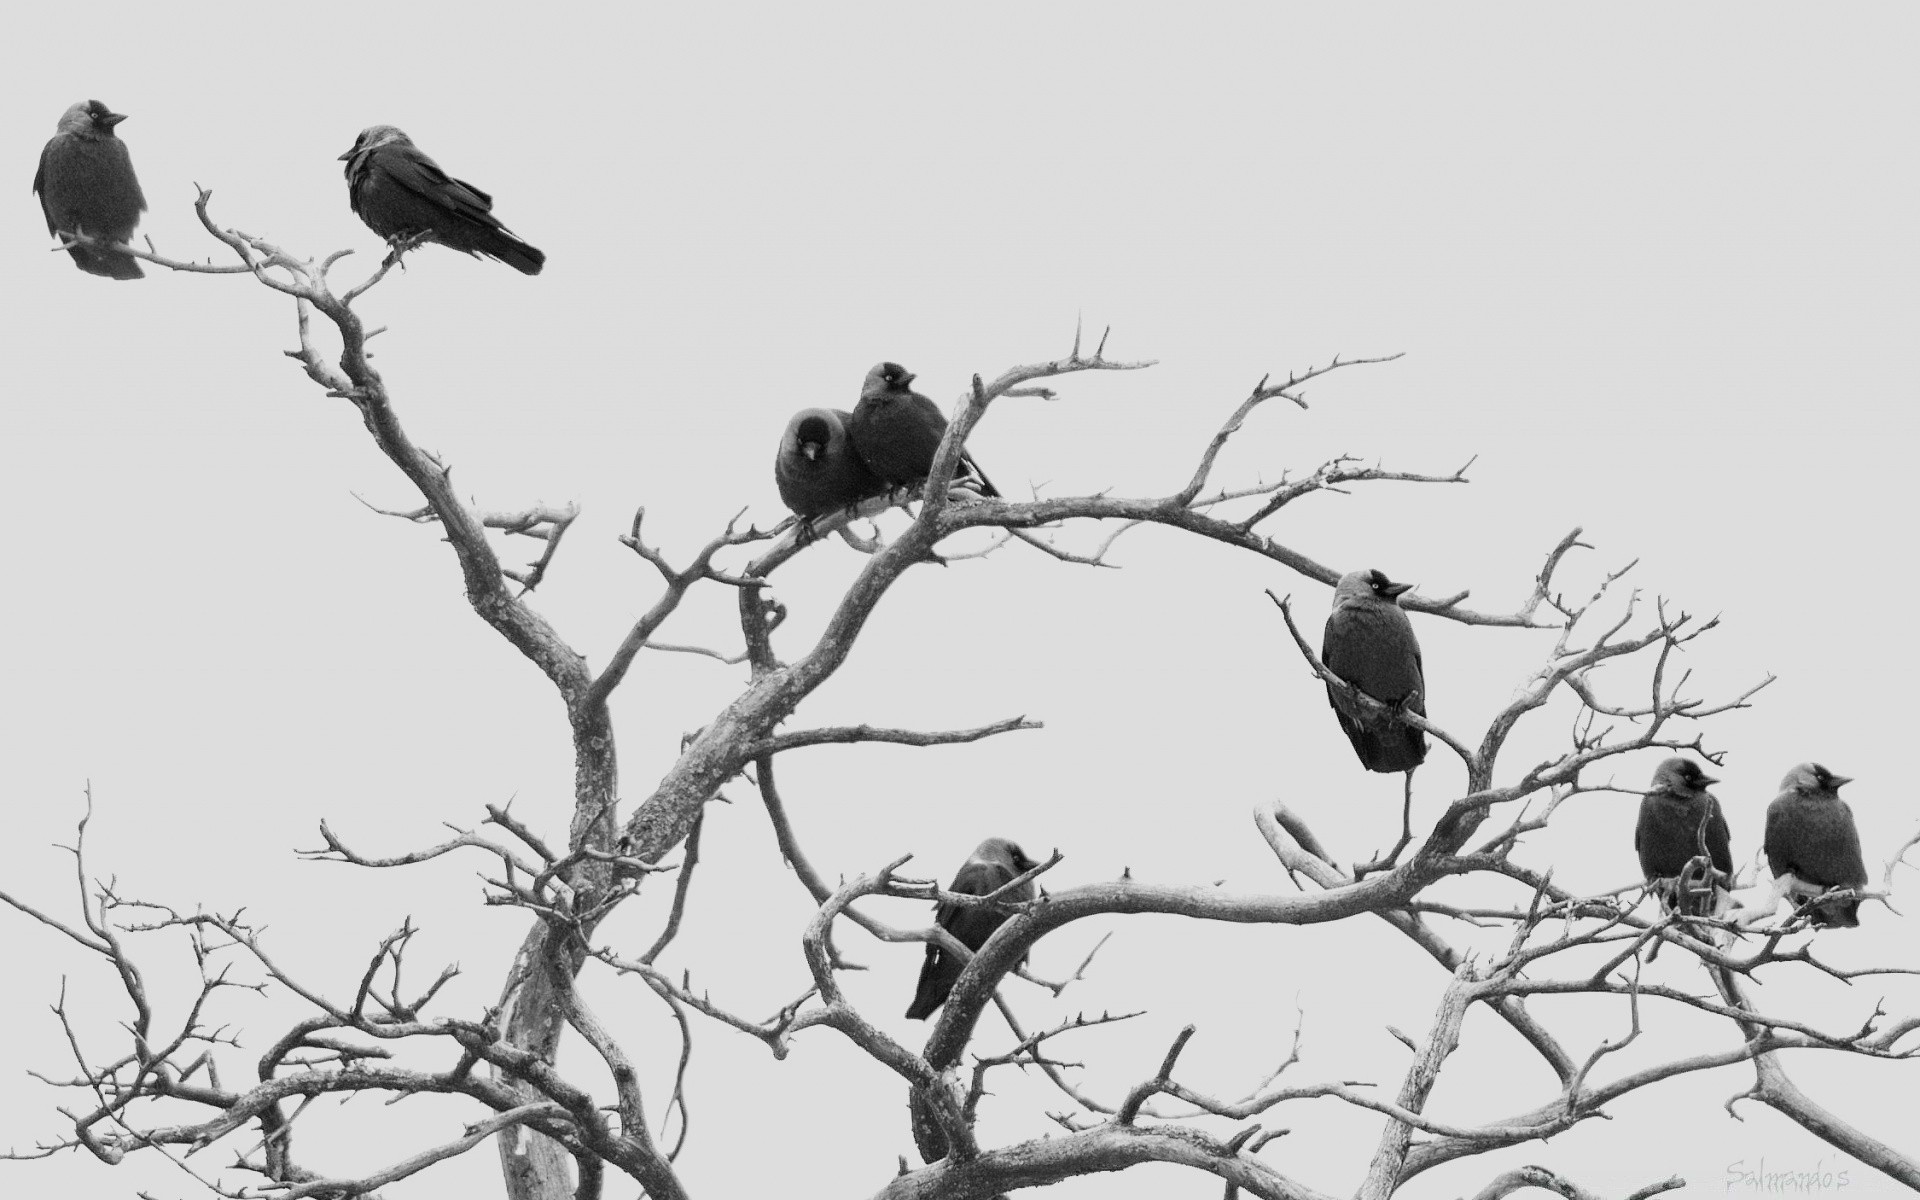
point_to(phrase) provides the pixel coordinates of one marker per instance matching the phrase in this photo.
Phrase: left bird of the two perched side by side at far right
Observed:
(1679, 823)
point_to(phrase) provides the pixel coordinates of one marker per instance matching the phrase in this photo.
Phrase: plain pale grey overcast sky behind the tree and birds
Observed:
(1654, 268)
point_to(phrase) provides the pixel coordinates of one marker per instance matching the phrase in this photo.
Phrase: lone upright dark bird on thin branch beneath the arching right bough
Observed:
(1370, 644)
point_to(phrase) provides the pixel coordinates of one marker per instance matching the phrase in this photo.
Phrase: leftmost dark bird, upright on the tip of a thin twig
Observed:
(87, 187)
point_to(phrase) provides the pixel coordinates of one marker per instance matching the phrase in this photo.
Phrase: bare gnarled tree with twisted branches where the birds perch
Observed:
(1462, 892)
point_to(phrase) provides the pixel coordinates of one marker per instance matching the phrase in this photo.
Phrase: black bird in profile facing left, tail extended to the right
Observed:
(400, 195)
